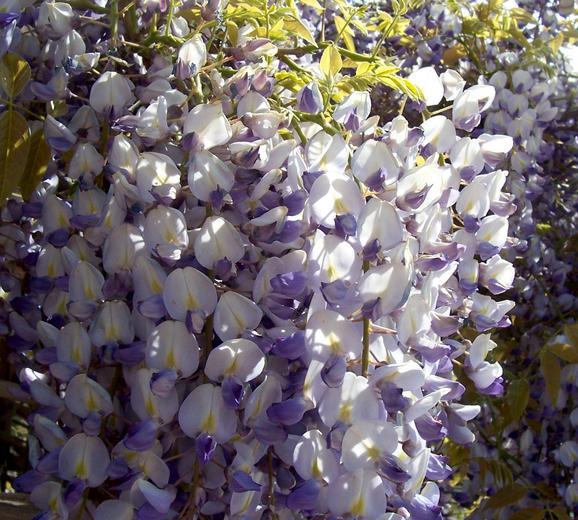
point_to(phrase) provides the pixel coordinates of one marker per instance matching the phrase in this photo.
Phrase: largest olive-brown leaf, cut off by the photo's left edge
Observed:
(14, 147)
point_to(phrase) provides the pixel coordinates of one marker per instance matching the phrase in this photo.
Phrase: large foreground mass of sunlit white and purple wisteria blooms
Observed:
(230, 297)
